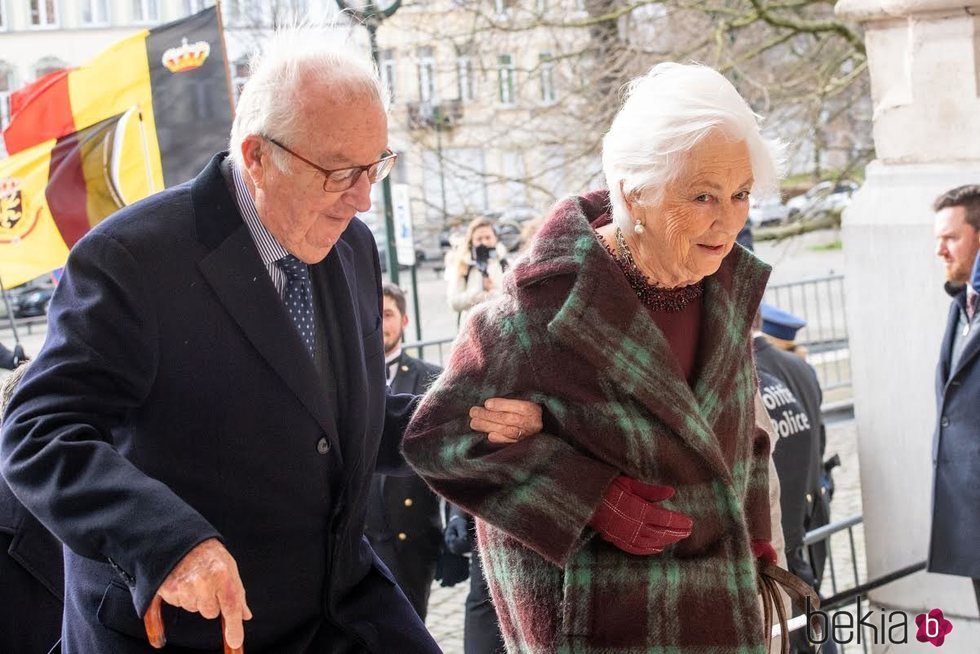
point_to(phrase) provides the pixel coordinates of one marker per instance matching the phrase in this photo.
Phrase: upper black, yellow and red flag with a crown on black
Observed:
(174, 75)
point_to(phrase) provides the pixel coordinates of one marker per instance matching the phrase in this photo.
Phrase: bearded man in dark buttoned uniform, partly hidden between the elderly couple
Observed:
(403, 523)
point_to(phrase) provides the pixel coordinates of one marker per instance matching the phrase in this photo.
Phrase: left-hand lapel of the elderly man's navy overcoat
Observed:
(235, 272)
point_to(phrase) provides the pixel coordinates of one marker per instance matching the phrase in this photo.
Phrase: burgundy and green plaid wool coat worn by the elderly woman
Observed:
(570, 334)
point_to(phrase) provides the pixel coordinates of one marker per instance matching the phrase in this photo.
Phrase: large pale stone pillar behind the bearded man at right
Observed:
(924, 59)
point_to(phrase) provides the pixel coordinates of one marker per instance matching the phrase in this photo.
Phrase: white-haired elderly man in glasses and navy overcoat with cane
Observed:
(210, 403)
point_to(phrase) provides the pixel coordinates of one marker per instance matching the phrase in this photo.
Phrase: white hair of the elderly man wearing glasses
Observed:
(291, 60)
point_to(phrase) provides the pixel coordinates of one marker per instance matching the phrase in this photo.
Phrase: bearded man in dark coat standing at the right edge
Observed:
(956, 486)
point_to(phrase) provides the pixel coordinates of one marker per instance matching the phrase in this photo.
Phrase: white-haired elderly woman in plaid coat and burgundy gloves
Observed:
(633, 521)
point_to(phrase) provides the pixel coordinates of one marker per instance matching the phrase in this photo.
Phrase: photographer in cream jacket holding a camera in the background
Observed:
(475, 270)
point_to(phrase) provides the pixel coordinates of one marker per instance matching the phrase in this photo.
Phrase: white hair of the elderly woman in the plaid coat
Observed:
(665, 113)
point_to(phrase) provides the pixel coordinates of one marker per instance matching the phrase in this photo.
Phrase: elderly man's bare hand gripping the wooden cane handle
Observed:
(205, 581)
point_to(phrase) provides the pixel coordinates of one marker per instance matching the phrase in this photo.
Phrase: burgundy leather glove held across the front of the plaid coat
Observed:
(630, 519)
